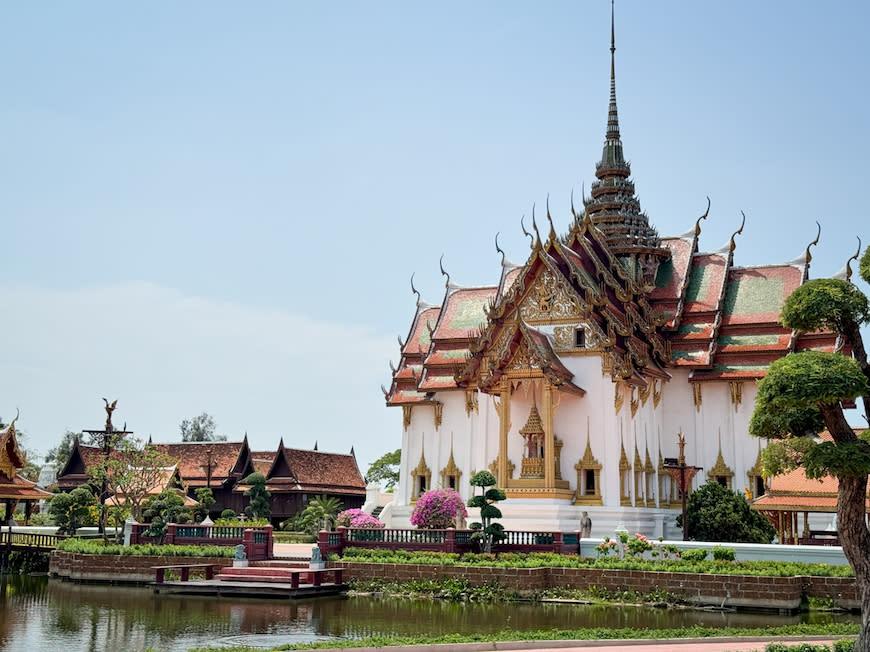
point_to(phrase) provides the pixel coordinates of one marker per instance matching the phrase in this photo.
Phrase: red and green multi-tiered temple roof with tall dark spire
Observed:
(648, 303)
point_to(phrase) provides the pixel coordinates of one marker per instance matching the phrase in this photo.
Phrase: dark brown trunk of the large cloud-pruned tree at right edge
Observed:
(852, 522)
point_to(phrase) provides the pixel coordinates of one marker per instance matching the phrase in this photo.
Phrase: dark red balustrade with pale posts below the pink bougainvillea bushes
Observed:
(450, 540)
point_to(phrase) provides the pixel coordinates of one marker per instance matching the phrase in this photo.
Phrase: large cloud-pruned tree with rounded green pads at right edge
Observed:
(803, 392)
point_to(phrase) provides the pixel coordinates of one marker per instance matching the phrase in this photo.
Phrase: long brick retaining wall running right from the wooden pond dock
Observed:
(740, 591)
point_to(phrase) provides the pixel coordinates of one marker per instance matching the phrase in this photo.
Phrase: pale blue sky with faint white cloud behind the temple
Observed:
(215, 206)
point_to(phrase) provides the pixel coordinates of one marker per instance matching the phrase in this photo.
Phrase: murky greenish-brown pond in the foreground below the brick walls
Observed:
(37, 613)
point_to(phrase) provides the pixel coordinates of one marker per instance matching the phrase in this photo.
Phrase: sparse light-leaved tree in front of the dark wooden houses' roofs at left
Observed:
(130, 473)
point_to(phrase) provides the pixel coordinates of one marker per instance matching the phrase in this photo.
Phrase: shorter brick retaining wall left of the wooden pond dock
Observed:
(118, 568)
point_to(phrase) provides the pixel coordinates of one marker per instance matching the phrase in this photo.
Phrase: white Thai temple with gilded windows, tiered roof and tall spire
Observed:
(574, 375)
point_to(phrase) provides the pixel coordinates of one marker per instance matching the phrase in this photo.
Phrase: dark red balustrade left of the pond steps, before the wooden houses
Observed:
(258, 540)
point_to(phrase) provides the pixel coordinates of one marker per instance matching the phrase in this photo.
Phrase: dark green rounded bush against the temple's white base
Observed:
(715, 513)
